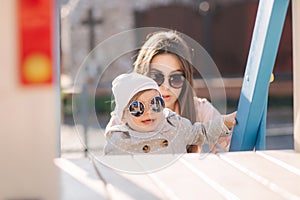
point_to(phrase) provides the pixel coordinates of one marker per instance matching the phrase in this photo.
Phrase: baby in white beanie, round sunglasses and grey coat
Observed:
(144, 125)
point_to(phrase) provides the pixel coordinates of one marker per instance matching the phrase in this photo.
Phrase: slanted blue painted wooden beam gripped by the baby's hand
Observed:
(250, 132)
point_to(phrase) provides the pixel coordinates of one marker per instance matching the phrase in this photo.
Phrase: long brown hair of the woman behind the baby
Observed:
(170, 42)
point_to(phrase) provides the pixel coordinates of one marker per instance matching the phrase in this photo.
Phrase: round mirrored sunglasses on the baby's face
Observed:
(137, 108)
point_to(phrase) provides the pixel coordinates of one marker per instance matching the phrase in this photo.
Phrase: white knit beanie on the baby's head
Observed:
(125, 86)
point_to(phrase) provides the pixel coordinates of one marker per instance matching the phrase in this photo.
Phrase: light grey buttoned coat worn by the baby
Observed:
(172, 136)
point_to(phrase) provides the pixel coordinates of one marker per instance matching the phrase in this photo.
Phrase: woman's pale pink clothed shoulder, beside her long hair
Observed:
(205, 110)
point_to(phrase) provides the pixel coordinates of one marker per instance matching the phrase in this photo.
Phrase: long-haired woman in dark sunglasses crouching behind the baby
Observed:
(165, 57)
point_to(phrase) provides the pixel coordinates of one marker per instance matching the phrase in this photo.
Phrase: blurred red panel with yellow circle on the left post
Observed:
(35, 26)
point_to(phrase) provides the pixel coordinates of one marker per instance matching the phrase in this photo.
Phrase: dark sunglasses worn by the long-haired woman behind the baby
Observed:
(175, 80)
